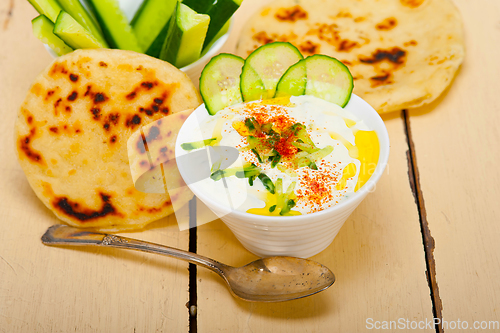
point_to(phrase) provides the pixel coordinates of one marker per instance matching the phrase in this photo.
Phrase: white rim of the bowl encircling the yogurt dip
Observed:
(376, 123)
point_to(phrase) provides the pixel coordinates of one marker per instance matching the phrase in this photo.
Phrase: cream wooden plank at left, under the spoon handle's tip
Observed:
(48, 289)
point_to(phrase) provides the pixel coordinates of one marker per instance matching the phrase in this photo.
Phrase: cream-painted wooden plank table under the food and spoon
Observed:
(425, 245)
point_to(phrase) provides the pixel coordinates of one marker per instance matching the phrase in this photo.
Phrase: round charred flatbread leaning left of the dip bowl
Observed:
(72, 130)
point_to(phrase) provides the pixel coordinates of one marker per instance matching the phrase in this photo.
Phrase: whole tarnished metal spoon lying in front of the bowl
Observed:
(271, 279)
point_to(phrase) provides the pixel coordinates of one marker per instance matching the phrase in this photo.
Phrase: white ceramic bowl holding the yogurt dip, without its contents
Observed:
(298, 236)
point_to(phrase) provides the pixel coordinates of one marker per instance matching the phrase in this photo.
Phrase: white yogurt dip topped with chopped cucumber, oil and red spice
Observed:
(298, 155)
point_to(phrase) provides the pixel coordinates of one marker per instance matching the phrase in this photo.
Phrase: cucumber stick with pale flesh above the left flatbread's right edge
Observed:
(185, 38)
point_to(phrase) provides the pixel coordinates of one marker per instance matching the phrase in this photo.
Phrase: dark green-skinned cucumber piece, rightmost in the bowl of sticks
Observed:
(220, 12)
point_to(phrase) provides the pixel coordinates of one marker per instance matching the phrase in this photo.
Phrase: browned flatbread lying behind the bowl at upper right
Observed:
(402, 53)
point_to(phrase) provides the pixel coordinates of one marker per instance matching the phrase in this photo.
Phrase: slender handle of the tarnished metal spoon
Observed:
(65, 235)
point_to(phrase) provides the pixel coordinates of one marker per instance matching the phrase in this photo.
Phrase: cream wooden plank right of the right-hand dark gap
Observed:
(456, 141)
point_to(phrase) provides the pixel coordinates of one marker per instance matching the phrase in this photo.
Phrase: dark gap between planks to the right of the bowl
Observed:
(428, 240)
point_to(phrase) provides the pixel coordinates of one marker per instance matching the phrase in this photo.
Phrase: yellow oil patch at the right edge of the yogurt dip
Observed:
(369, 150)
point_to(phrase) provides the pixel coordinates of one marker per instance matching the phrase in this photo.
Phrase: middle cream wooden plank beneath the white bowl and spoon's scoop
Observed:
(377, 257)
